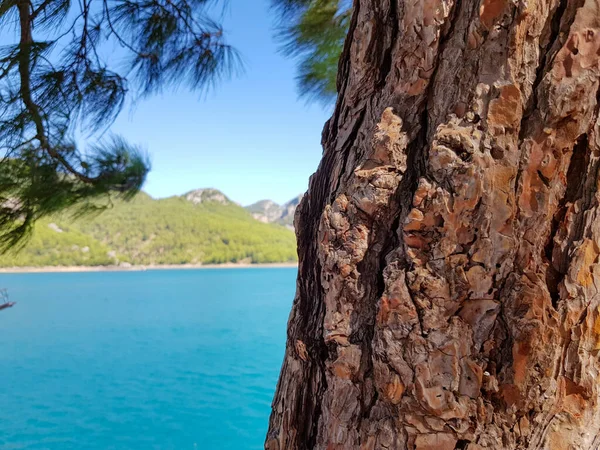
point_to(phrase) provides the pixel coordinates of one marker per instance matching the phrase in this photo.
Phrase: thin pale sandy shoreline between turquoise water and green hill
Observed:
(74, 269)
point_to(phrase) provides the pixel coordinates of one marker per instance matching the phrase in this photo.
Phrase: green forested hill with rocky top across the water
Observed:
(193, 229)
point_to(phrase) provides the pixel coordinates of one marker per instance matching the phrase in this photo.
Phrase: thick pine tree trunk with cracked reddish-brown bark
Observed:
(448, 284)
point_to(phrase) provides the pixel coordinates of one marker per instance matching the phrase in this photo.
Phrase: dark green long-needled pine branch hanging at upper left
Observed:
(46, 96)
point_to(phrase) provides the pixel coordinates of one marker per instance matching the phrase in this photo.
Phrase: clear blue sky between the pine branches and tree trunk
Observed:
(251, 137)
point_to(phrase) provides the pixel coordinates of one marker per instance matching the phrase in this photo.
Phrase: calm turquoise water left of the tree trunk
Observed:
(142, 360)
